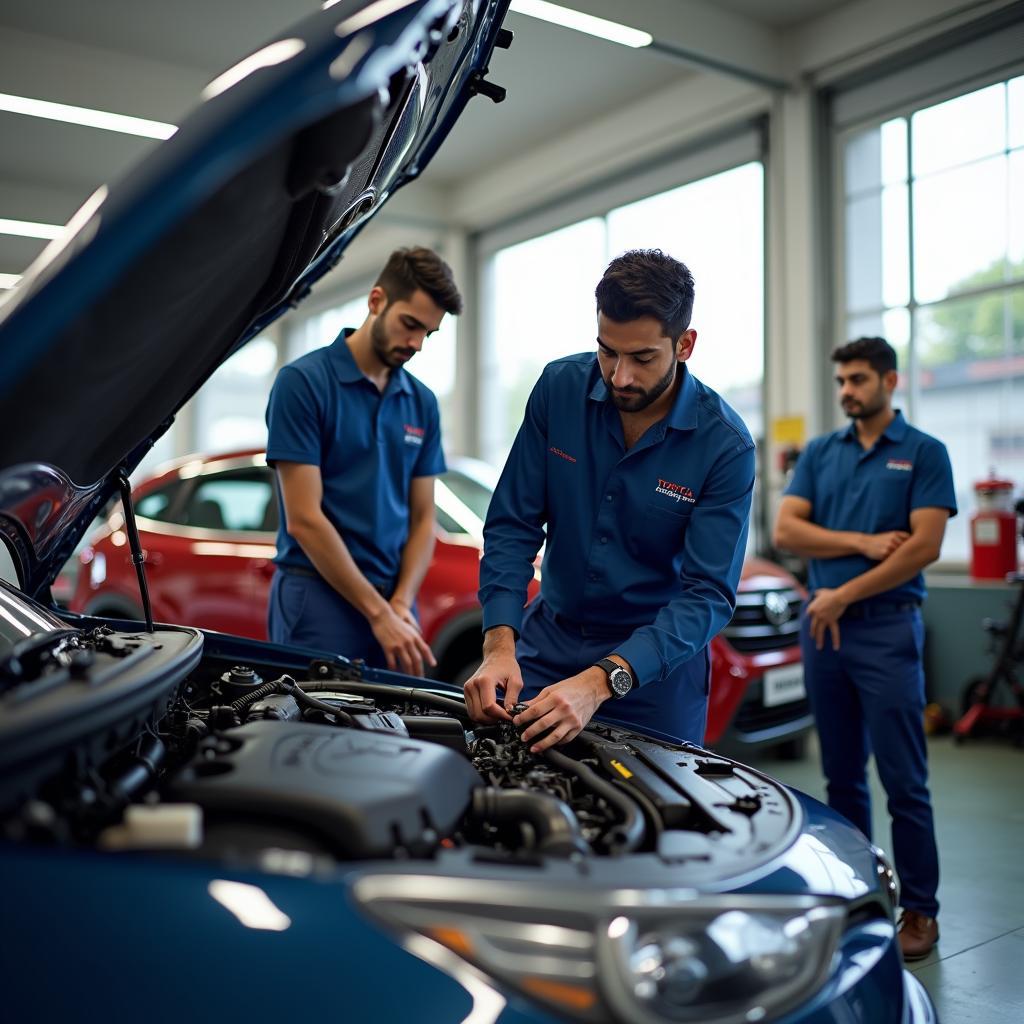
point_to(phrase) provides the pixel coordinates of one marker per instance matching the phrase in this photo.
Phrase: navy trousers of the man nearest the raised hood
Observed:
(308, 612)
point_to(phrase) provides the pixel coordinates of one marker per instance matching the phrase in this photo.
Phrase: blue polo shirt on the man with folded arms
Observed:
(872, 492)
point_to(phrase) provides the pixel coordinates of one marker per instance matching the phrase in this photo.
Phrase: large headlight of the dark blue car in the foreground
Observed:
(646, 957)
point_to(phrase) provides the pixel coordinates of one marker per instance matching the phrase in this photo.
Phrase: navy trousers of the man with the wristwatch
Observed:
(552, 649)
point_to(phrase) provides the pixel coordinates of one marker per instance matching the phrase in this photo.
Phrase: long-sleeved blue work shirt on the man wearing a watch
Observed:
(650, 539)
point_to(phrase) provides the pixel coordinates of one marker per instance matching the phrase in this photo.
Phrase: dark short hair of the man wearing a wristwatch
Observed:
(648, 283)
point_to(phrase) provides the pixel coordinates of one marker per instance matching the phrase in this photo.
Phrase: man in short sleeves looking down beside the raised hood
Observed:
(356, 442)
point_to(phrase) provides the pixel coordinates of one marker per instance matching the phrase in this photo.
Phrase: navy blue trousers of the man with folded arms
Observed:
(869, 698)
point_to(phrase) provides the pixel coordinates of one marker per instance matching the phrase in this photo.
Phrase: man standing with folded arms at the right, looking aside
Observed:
(869, 506)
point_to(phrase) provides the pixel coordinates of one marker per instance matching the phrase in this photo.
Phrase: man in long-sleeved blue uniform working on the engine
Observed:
(643, 477)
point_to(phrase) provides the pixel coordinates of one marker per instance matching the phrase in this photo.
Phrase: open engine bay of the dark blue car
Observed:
(134, 742)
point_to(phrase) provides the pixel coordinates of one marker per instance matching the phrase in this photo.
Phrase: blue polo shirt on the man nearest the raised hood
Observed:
(369, 446)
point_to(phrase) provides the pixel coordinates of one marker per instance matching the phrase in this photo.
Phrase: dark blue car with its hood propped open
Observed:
(199, 828)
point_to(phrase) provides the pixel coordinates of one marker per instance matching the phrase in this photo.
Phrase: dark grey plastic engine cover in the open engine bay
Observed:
(364, 793)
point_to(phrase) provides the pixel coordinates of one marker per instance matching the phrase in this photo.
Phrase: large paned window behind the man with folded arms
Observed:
(933, 257)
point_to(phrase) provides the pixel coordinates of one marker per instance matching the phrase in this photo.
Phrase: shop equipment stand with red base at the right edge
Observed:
(978, 709)
